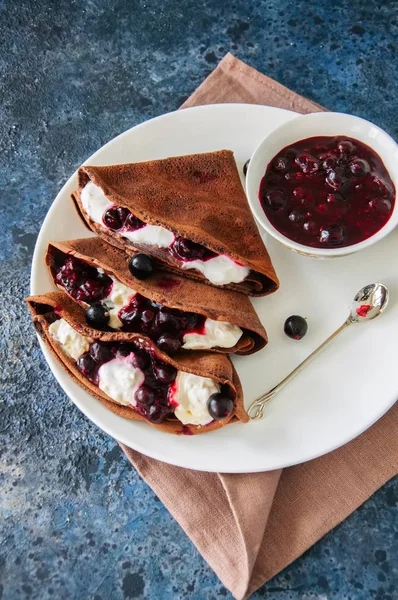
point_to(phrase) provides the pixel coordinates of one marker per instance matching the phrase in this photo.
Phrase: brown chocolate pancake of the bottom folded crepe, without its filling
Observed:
(47, 307)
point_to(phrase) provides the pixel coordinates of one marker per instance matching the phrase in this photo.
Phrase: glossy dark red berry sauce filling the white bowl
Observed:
(327, 192)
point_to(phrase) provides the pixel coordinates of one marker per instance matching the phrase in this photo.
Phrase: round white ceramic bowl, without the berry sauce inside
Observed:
(321, 124)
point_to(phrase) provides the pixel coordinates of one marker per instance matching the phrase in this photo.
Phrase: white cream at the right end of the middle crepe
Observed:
(217, 334)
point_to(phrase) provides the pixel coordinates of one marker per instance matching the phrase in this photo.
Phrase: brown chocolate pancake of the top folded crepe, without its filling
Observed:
(198, 197)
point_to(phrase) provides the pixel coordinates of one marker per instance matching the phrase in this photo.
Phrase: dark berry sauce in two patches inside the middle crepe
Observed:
(165, 326)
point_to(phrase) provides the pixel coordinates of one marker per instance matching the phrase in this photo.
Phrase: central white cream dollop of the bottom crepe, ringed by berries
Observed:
(120, 380)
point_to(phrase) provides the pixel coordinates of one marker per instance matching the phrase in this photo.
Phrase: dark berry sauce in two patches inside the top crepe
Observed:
(120, 219)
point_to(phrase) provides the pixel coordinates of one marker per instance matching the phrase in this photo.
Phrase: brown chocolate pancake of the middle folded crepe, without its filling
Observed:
(172, 291)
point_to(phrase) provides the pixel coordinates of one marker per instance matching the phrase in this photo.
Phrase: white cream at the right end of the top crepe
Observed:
(219, 270)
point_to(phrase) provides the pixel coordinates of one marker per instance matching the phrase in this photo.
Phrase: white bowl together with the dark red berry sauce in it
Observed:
(325, 184)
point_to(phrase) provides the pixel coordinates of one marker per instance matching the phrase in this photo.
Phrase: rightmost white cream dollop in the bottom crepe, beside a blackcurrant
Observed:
(190, 393)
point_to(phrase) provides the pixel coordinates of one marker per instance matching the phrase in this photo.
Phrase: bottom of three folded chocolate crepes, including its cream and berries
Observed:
(132, 377)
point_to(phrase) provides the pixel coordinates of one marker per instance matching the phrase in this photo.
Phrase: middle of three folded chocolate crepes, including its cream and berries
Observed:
(193, 315)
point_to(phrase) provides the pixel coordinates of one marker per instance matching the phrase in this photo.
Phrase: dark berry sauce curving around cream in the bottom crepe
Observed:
(152, 396)
